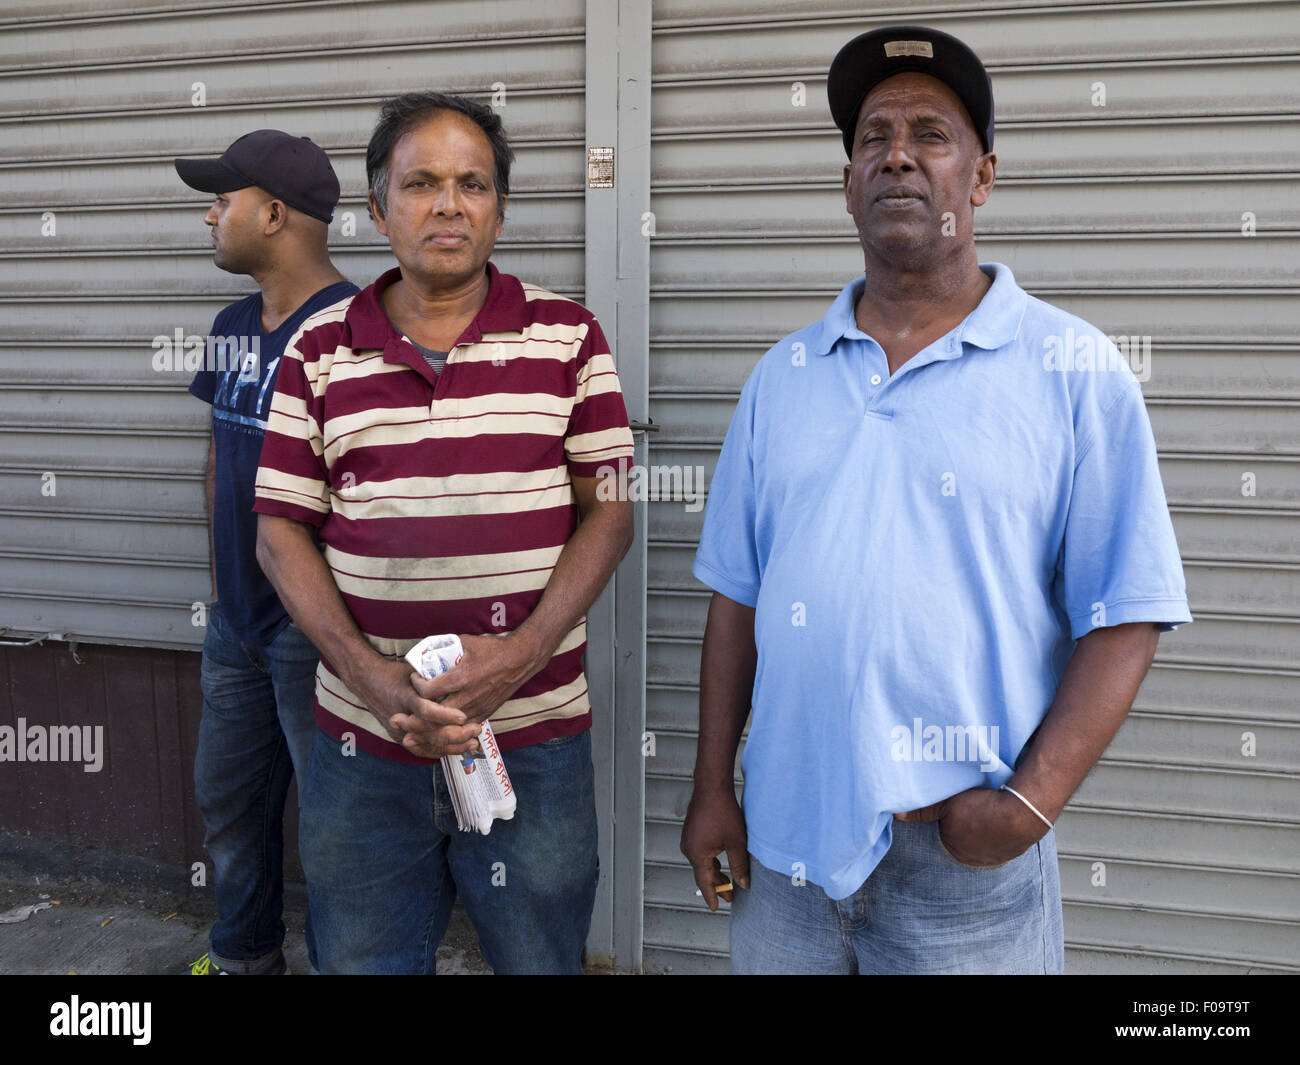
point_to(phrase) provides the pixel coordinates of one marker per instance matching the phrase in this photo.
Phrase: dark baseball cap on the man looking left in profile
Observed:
(291, 168)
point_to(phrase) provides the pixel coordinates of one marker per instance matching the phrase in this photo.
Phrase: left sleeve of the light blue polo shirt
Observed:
(727, 559)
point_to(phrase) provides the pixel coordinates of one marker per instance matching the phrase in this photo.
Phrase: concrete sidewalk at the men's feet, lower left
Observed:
(98, 928)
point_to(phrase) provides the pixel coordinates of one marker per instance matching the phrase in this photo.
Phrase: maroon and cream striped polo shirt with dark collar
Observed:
(444, 501)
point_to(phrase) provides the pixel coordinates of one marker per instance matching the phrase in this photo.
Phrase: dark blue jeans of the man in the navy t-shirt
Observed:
(257, 728)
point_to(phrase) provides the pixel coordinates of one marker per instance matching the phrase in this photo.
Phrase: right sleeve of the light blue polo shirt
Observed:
(1120, 560)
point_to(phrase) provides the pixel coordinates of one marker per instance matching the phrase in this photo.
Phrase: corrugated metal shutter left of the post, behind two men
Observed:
(98, 98)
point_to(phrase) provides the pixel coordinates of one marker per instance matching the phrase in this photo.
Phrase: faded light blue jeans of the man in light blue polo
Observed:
(920, 912)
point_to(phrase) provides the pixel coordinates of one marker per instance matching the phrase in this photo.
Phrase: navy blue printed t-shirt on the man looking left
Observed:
(239, 380)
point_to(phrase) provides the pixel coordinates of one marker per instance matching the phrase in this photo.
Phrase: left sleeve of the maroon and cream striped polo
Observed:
(293, 478)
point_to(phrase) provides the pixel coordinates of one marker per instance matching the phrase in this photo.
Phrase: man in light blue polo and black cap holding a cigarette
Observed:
(942, 559)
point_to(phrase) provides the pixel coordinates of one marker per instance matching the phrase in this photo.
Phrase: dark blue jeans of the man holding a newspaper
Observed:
(385, 861)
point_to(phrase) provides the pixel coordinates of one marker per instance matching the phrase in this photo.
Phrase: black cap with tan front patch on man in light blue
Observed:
(868, 60)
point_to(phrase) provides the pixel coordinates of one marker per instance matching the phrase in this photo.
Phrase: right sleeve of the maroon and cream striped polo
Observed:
(599, 434)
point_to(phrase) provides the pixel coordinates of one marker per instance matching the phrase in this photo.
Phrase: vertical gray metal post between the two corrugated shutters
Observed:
(618, 292)
